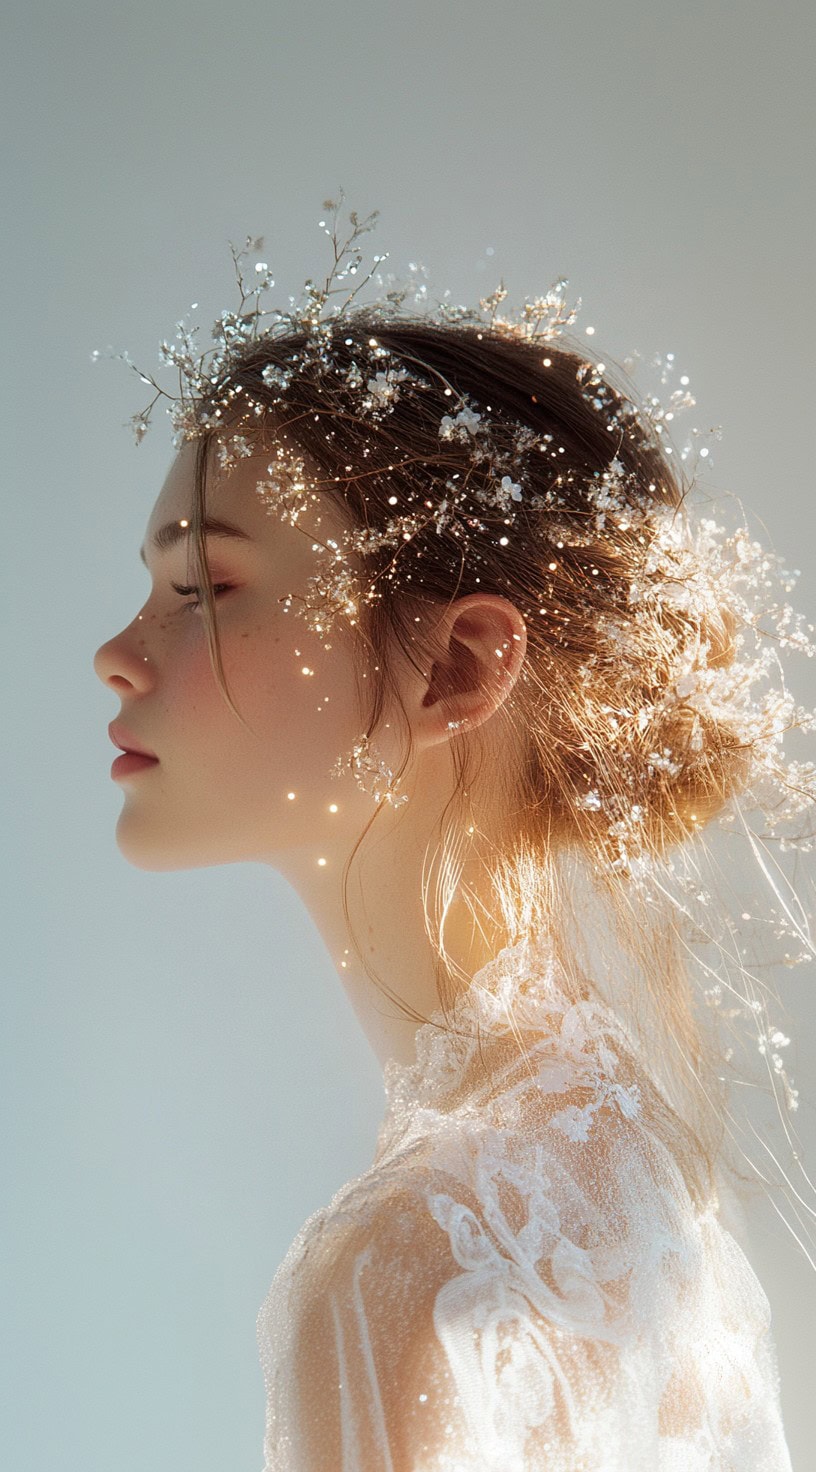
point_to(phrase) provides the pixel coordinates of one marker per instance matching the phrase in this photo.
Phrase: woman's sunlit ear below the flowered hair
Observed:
(476, 654)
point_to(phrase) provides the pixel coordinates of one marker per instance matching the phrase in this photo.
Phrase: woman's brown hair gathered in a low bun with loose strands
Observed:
(578, 582)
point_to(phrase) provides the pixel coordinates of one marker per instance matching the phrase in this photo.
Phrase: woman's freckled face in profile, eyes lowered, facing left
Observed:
(220, 794)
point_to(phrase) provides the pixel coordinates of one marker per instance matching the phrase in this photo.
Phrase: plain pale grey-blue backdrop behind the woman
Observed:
(185, 1081)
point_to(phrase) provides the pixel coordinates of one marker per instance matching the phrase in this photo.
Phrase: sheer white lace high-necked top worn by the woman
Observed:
(521, 1281)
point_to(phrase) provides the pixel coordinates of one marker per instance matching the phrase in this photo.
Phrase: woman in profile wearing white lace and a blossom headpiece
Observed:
(441, 563)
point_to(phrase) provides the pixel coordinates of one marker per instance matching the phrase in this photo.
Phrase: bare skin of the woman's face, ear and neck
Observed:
(222, 794)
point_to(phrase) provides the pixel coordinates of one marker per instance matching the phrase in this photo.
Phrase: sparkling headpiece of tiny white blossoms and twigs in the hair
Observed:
(689, 565)
